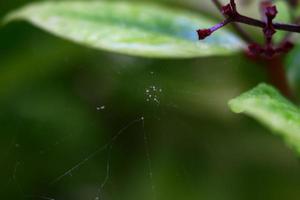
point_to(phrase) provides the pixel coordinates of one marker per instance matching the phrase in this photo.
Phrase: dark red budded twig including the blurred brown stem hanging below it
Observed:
(270, 54)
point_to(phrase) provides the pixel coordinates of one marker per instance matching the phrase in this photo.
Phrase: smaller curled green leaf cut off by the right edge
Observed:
(268, 106)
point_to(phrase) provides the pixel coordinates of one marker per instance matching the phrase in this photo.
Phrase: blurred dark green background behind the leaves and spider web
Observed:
(60, 102)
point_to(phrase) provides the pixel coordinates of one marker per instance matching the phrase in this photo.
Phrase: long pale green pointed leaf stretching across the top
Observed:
(131, 28)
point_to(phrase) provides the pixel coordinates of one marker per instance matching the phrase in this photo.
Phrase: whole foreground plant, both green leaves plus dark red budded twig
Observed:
(154, 31)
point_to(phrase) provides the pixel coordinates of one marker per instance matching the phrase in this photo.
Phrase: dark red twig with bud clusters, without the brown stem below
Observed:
(269, 12)
